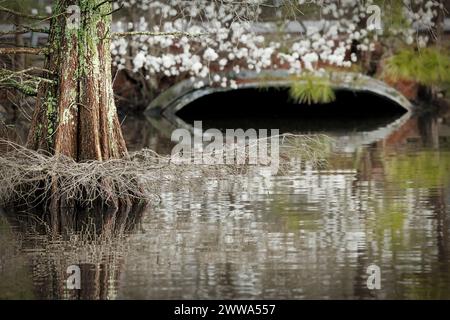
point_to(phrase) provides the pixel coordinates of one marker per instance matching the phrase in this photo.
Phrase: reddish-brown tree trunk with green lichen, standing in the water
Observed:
(77, 116)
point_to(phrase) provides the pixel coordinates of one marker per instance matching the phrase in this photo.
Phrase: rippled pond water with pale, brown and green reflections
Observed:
(383, 199)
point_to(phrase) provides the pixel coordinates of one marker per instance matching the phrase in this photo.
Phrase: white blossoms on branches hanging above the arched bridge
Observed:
(225, 37)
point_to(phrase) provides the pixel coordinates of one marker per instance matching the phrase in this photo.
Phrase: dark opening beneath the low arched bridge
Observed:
(273, 108)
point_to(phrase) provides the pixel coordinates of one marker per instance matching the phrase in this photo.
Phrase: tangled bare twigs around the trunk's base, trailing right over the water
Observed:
(31, 177)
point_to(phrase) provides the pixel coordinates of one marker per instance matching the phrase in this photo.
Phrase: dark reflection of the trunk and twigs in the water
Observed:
(97, 242)
